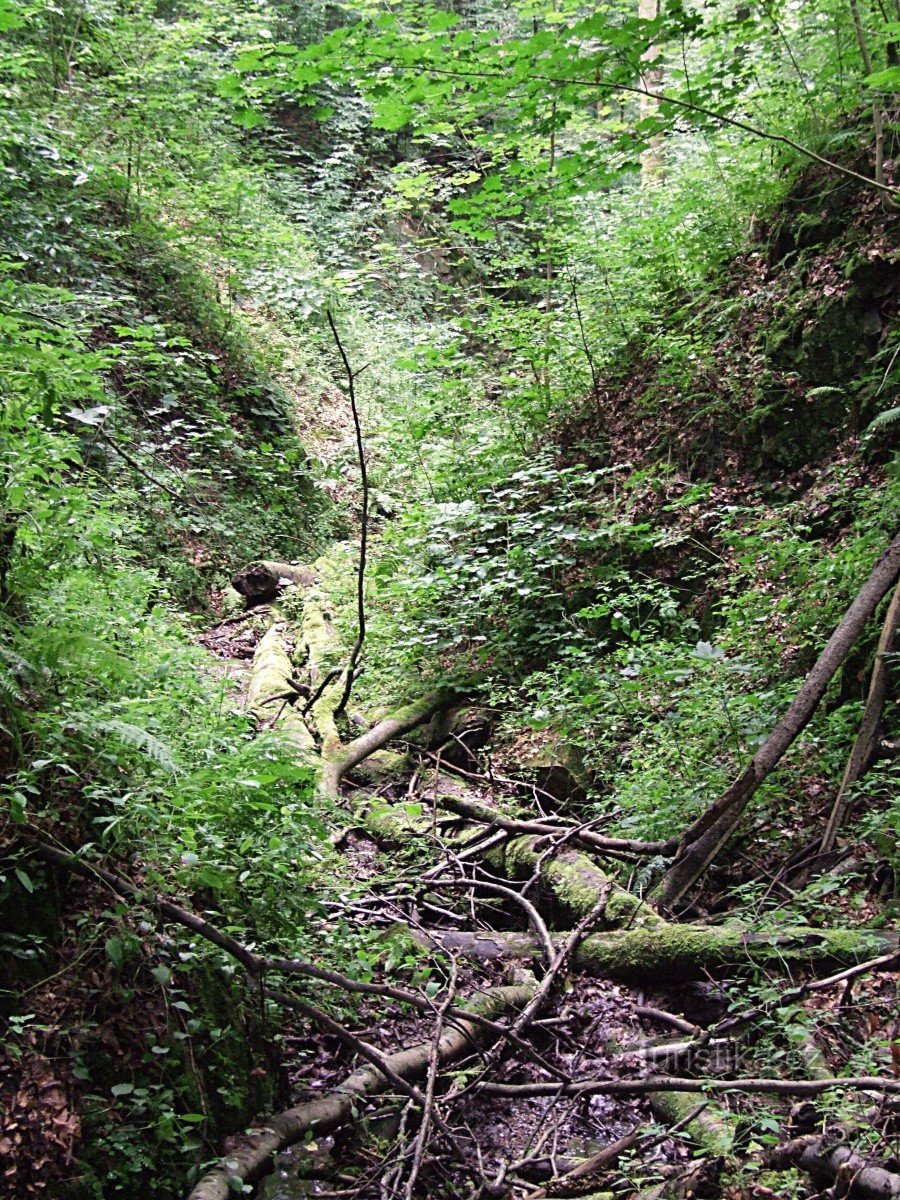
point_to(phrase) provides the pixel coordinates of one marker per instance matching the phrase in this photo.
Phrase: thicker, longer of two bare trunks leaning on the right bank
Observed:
(711, 832)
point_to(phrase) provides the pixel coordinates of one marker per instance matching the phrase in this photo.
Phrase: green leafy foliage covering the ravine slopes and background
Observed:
(565, 371)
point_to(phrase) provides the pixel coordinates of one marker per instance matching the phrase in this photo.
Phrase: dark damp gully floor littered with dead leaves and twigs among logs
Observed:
(406, 843)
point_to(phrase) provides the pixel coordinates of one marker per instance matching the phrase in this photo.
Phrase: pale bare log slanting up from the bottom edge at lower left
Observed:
(250, 1159)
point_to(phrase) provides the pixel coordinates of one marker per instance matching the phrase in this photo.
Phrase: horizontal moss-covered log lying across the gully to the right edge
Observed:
(679, 953)
